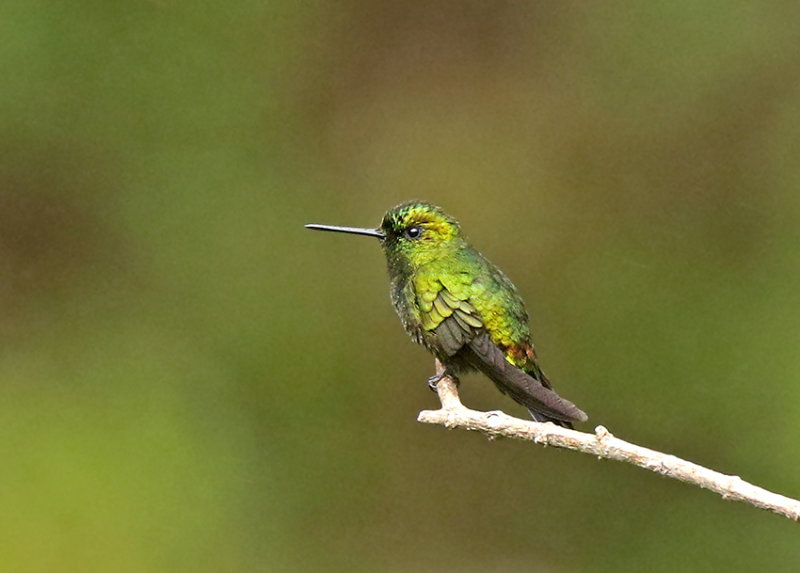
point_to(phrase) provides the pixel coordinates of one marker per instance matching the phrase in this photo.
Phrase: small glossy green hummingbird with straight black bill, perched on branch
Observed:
(461, 307)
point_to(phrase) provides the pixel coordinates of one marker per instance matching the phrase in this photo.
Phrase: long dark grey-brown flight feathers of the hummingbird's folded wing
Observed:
(543, 403)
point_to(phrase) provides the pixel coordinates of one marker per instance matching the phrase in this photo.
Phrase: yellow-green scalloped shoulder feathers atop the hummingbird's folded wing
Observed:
(452, 319)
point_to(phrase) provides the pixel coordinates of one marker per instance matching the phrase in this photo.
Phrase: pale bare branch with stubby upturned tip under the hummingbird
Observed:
(602, 444)
